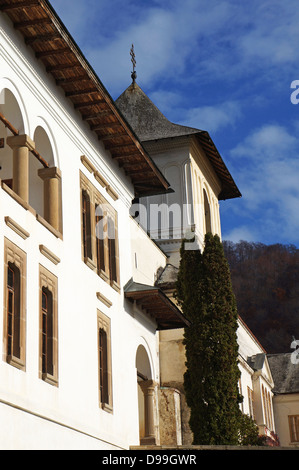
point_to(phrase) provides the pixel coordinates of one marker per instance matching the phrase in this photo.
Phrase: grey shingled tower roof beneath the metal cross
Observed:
(149, 124)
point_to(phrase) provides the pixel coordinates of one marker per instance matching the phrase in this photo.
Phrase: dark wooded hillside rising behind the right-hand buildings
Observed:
(265, 282)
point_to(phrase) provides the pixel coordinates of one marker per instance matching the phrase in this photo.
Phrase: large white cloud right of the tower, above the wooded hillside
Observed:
(266, 166)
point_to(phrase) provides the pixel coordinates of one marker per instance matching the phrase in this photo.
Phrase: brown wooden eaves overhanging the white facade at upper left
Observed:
(44, 32)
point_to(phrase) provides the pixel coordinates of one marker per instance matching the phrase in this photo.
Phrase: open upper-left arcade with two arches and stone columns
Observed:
(26, 165)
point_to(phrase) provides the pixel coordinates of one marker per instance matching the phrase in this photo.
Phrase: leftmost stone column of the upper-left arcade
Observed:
(21, 145)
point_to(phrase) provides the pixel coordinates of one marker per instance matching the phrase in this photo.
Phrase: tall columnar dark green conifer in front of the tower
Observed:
(205, 293)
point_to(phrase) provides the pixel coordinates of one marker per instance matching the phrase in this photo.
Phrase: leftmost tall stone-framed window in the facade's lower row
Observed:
(15, 259)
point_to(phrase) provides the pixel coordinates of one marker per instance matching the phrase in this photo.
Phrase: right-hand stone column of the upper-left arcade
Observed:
(52, 199)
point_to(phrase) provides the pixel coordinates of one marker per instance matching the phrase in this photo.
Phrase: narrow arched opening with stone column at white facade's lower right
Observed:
(146, 397)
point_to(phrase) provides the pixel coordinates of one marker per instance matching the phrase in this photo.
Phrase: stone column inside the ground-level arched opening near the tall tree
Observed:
(148, 388)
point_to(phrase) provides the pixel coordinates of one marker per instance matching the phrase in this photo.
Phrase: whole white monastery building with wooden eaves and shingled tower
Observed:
(91, 350)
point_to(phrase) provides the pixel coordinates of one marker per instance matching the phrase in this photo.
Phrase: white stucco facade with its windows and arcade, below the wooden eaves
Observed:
(41, 239)
